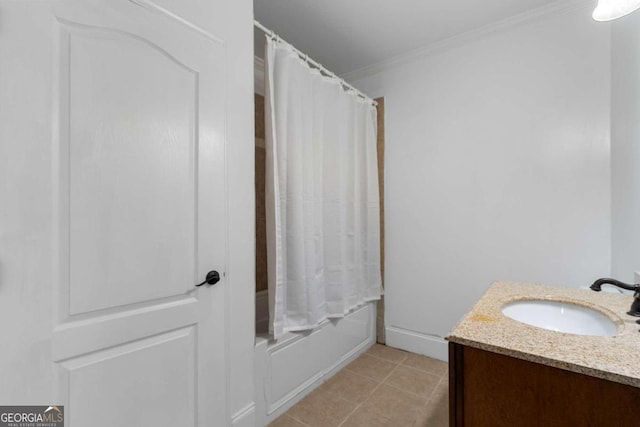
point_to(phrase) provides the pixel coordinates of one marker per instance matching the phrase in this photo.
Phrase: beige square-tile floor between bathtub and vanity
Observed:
(383, 387)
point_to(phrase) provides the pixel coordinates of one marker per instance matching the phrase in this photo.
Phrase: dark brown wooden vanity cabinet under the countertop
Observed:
(491, 389)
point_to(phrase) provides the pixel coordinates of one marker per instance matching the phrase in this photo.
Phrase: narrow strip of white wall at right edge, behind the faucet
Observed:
(625, 146)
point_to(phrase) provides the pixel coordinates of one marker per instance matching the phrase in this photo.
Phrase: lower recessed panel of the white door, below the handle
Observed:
(165, 369)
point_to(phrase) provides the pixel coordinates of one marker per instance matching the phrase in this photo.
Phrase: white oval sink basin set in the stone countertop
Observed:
(561, 317)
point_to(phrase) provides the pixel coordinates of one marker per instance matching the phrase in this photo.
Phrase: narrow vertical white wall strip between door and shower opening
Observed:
(241, 209)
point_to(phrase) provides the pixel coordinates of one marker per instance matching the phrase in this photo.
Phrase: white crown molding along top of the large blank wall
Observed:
(561, 6)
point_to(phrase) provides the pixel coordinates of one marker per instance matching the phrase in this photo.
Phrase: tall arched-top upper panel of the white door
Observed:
(132, 172)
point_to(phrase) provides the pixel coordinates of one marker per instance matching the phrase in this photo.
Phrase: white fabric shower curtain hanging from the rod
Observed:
(323, 209)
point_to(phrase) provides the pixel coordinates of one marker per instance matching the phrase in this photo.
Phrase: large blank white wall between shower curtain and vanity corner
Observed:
(497, 167)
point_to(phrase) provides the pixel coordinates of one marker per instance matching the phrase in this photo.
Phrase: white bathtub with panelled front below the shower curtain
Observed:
(287, 370)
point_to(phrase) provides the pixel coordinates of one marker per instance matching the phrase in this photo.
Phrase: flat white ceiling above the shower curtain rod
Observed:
(346, 35)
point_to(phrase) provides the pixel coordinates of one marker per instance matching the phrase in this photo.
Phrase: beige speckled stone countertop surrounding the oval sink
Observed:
(613, 358)
